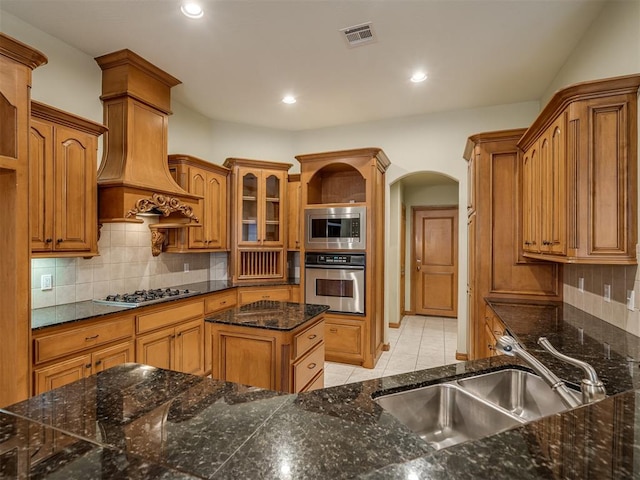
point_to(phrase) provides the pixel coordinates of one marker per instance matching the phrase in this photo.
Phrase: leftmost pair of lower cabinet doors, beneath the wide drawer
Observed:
(81, 366)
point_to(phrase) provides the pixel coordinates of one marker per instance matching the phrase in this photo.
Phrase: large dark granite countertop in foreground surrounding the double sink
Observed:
(137, 421)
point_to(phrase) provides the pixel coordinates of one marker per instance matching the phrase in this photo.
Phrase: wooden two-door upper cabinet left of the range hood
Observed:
(63, 152)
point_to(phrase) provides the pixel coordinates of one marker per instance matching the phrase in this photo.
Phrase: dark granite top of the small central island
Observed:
(268, 314)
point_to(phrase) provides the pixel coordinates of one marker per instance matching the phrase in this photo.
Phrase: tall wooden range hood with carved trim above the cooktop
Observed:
(134, 176)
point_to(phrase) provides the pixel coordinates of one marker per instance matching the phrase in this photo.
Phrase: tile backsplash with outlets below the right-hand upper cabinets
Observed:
(621, 280)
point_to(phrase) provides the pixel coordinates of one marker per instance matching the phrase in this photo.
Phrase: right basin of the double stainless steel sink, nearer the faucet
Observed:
(521, 393)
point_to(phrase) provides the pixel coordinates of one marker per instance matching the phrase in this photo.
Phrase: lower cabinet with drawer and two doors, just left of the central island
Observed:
(172, 337)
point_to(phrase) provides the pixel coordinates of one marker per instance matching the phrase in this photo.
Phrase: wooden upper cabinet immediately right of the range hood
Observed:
(211, 182)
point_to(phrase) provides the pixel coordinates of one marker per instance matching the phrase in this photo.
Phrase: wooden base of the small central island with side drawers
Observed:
(277, 360)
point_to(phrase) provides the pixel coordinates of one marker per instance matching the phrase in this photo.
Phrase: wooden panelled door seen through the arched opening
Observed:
(436, 261)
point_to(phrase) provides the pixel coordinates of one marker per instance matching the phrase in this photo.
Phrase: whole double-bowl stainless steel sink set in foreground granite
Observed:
(471, 408)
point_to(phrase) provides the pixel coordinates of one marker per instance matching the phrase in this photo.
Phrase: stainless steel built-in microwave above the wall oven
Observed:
(336, 228)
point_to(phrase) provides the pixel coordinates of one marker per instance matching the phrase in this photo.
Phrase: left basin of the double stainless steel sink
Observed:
(445, 414)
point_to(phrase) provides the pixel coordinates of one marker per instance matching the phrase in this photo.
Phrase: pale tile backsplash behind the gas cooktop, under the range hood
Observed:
(125, 264)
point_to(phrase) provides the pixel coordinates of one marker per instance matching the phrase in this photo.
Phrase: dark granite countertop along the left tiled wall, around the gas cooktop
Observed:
(78, 311)
